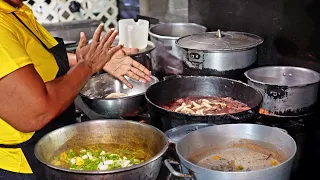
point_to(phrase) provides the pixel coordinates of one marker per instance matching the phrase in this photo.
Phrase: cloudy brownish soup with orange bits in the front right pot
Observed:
(243, 156)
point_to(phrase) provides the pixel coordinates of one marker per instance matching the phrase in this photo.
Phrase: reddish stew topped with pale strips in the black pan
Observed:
(207, 105)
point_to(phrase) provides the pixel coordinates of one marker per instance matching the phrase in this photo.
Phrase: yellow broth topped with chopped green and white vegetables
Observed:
(100, 157)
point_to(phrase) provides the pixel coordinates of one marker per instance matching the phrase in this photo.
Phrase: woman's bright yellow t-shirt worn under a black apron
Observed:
(18, 48)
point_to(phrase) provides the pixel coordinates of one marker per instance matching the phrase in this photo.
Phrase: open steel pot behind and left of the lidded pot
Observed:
(167, 58)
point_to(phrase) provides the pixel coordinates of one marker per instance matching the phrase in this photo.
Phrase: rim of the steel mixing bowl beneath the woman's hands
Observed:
(155, 80)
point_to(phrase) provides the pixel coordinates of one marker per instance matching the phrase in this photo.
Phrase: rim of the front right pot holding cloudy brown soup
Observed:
(241, 172)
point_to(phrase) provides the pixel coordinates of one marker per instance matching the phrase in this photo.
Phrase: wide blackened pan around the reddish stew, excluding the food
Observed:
(164, 92)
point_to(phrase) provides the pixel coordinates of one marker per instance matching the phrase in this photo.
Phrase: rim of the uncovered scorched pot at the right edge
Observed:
(317, 80)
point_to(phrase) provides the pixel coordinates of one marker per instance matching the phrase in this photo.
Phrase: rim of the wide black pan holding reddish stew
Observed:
(205, 77)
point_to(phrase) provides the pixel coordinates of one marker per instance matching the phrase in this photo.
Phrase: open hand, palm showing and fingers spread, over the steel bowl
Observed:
(121, 64)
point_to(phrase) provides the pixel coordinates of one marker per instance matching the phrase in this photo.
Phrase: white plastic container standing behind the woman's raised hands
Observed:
(133, 34)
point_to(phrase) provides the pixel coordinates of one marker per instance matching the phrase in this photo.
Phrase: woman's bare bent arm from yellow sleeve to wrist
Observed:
(28, 104)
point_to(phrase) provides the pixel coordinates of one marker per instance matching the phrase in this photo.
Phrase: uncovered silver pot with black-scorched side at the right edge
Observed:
(286, 90)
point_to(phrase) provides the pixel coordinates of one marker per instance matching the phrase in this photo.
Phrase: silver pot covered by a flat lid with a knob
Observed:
(227, 54)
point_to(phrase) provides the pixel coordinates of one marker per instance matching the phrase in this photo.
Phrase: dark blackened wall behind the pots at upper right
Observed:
(290, 27)
